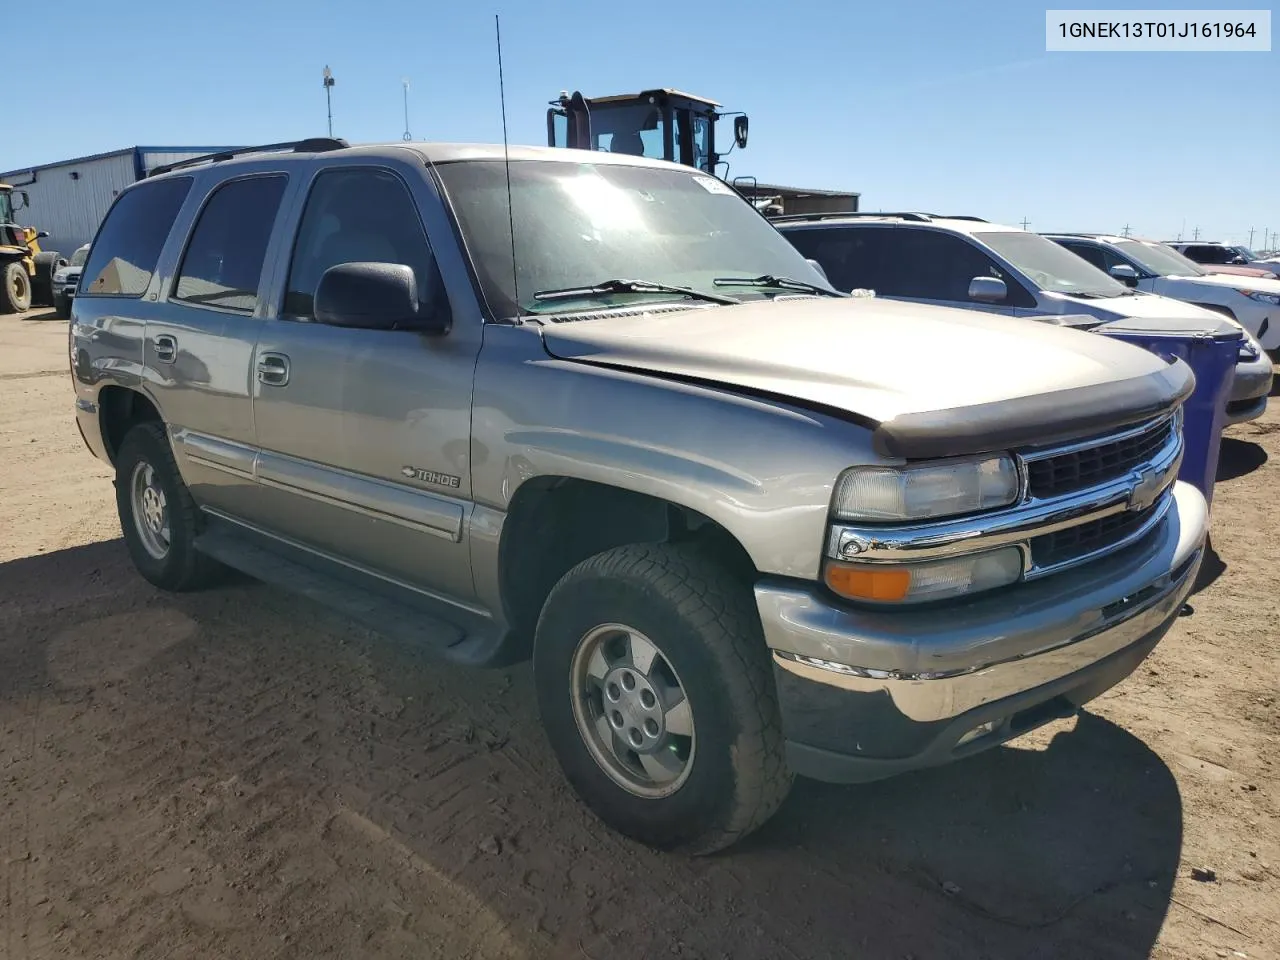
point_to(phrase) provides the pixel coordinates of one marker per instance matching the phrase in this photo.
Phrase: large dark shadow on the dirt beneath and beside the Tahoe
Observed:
(365, 775)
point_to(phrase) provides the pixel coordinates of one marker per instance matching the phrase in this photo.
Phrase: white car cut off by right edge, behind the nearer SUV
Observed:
(1254, 303)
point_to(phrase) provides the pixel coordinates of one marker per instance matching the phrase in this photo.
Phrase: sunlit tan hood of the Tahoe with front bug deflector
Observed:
(929, 381)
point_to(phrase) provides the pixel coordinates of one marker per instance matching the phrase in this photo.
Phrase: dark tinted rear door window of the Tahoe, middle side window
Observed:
(225, 258)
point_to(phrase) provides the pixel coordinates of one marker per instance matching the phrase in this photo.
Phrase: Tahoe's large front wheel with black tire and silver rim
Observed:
(656, 689)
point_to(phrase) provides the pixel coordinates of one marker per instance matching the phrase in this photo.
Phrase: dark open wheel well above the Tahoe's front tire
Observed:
(556, 523)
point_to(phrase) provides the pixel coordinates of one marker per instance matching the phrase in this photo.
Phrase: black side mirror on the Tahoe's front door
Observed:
(376, 298)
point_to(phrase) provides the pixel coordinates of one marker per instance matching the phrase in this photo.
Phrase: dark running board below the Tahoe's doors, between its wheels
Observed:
(399, 620)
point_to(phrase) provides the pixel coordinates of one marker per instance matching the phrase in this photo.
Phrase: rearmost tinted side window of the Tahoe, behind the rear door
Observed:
(129, 246)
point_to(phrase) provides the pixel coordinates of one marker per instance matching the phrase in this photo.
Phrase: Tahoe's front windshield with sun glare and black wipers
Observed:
(583, 225)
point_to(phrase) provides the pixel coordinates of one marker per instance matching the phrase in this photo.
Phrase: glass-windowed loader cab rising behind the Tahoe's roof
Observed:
(662, 125)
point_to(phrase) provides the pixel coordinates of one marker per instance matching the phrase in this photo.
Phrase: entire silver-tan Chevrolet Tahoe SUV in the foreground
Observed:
(596, 412)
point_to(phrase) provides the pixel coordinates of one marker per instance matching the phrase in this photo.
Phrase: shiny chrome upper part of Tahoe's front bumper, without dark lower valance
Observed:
(938, 664)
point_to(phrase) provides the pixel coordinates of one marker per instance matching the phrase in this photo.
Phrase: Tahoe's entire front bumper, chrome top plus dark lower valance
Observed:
(870, 694)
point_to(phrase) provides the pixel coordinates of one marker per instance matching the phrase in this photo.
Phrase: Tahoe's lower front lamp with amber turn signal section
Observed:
(925, 580)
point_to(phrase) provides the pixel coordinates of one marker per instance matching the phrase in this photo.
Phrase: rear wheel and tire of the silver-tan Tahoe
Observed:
(158, 516)
